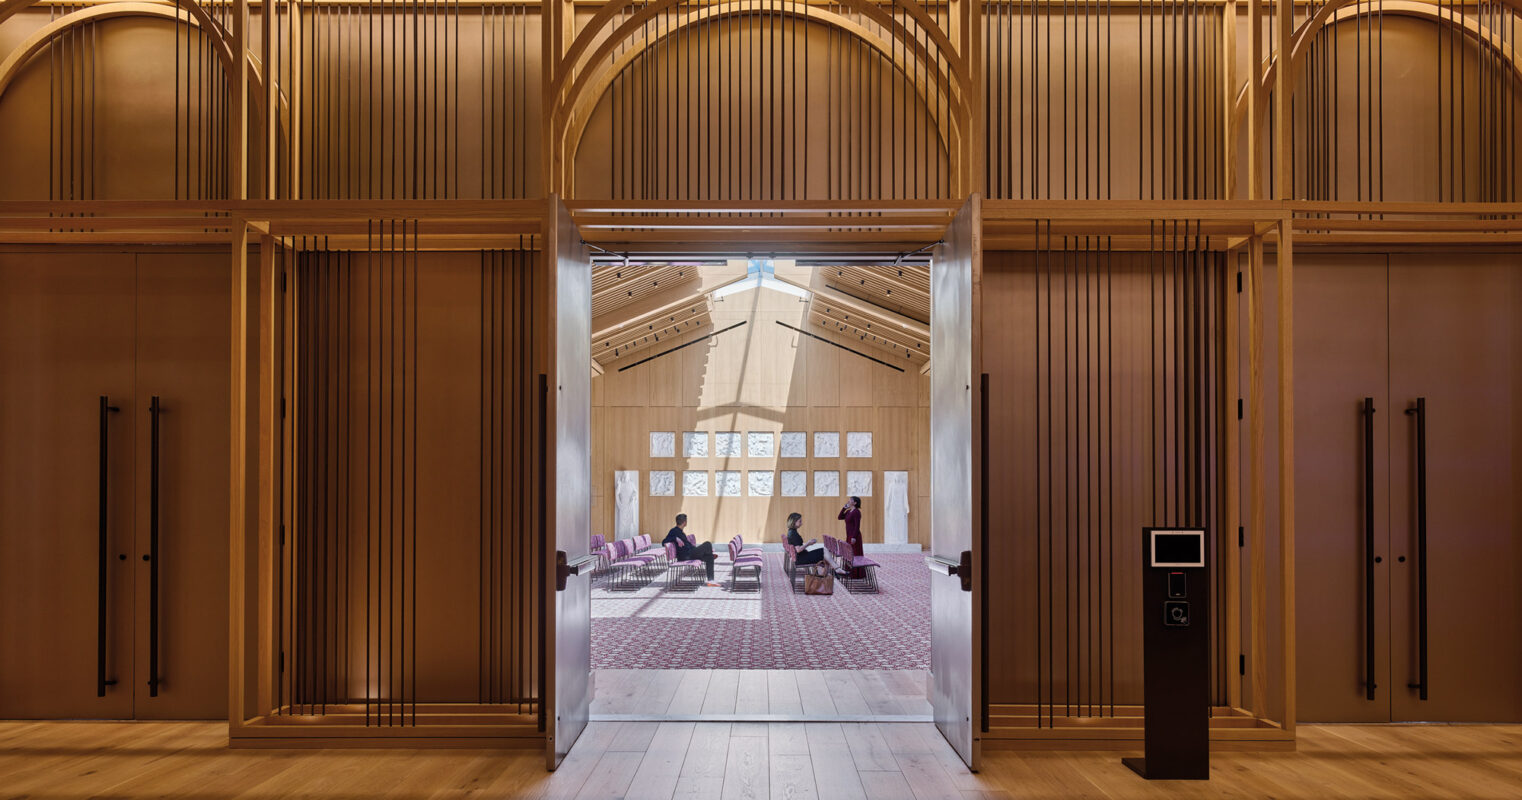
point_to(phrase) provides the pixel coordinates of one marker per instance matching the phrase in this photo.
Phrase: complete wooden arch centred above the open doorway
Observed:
(578, 87)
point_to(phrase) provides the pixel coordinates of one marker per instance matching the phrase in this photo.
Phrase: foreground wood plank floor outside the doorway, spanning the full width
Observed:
(54, 761)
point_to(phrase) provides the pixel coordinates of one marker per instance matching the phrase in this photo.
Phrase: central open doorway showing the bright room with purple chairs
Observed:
(739, 393)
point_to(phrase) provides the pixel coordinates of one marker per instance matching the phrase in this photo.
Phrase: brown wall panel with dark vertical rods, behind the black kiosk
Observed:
(1107, 372)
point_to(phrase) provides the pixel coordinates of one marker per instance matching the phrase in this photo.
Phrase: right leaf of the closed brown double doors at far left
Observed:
(183, 366)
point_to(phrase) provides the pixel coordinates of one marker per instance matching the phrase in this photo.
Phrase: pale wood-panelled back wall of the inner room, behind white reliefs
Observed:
(760, 376)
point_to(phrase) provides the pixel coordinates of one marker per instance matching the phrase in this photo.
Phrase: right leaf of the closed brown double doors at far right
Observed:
(1454, 346)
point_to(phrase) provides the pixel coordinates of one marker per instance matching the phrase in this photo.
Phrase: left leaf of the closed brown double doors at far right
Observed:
(1342, 475)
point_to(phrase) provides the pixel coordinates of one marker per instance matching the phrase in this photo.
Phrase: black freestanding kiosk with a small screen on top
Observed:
(1177, 655)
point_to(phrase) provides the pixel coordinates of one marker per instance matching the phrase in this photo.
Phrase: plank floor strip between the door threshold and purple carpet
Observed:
(815, 694)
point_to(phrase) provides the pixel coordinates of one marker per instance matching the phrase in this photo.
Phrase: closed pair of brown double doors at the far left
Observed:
(129, 328)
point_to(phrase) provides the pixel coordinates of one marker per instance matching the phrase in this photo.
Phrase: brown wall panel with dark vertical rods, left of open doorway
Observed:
(412, 456)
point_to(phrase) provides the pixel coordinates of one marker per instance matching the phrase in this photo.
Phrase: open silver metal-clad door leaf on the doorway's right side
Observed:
(955, 586)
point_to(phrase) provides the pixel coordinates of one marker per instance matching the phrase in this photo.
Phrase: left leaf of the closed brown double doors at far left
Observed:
(66, 486)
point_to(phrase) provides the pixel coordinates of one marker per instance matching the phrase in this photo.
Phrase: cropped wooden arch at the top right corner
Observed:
(1342, 11)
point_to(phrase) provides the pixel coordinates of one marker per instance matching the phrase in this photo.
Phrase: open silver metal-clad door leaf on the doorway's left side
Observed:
(567, 401)
